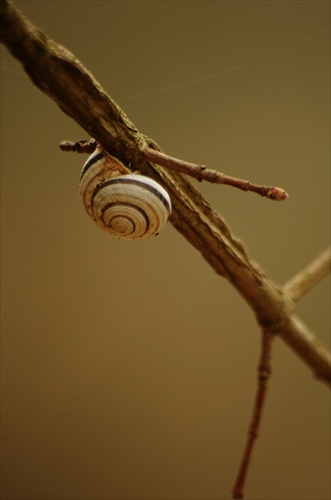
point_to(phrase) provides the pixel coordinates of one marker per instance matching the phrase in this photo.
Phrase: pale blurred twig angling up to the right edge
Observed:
(304, 280)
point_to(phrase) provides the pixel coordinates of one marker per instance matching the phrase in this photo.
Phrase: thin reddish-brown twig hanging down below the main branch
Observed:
(264, 372)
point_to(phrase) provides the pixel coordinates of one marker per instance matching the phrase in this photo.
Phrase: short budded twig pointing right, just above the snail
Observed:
(201, 173)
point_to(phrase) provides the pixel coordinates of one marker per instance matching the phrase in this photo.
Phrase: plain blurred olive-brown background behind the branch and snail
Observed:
(129, 368)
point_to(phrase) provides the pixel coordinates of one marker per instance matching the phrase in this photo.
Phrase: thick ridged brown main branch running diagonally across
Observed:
(54, 70)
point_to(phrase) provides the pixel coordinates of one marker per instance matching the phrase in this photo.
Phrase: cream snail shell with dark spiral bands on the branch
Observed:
(126, 205)
